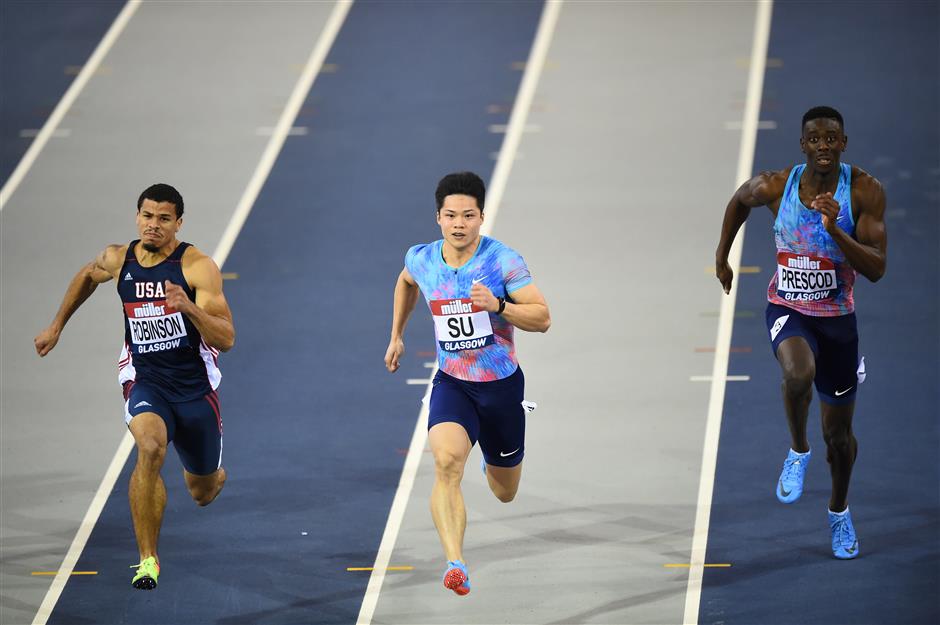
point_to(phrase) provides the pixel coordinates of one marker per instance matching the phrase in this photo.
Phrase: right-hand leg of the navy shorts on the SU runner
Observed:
(502, 420)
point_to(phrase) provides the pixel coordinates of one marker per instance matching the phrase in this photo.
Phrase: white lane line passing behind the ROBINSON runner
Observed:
(304, 83)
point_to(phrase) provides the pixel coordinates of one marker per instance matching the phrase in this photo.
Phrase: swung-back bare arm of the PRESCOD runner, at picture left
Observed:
(764, 189)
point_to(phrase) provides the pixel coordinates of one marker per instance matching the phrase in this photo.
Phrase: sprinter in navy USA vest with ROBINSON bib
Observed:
(176, 322)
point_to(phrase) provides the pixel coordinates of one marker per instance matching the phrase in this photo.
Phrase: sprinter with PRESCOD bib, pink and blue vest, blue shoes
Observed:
(829, 225)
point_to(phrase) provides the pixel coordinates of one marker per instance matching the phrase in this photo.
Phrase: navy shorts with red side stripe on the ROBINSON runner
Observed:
(194, 427)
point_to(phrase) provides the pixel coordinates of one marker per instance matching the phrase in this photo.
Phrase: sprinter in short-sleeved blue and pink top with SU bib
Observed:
(478, 290)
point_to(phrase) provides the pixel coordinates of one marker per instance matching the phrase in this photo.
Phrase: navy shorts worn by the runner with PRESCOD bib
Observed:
(834, 341)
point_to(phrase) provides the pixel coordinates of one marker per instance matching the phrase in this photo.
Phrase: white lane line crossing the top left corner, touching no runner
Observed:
(66, 102)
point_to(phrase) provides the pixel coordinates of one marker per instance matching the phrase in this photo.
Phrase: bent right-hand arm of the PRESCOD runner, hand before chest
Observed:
(868, 252)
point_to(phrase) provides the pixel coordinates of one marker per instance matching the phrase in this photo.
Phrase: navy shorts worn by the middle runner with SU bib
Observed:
(490, 412)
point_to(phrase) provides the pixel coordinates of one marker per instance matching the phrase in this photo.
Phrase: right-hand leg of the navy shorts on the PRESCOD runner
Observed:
(837, 361)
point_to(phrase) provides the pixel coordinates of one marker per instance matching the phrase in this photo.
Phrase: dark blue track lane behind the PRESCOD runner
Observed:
(878, 64)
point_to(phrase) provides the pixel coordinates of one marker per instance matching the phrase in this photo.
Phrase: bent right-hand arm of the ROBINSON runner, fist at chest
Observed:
(210, 314)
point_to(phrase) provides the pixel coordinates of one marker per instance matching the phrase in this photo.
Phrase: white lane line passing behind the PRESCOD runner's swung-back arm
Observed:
(755, 87)
